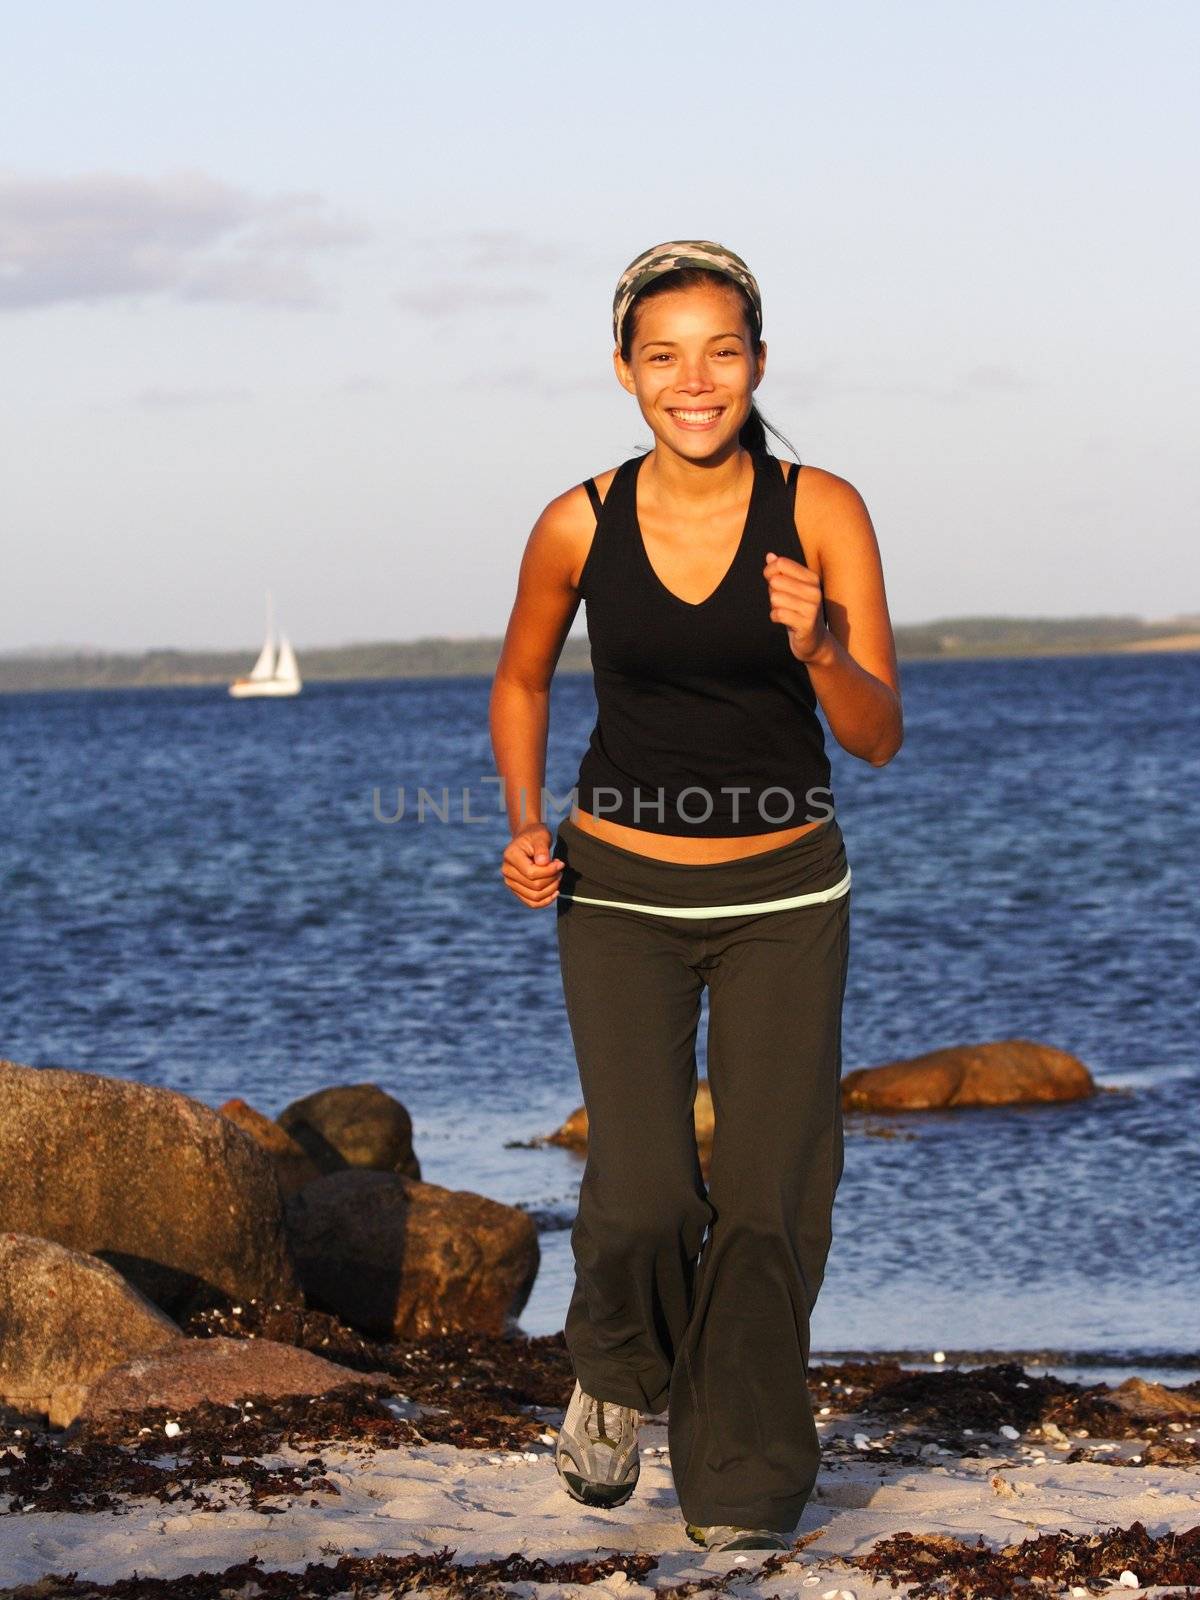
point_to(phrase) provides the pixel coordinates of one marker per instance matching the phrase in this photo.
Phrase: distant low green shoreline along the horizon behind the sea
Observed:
(966, 638)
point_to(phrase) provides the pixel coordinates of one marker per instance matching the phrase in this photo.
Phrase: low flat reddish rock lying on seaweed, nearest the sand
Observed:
(223, 1372)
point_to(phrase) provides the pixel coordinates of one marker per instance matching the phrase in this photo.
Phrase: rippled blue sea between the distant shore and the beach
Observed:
(218, 897)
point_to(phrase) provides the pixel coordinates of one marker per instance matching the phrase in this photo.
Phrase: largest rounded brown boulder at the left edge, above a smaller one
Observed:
(161, 1188)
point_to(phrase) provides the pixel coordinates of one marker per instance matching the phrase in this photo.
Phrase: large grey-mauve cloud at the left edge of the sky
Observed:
(105, 236)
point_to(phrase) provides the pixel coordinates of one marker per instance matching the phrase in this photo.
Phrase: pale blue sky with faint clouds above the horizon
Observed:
(318, 298)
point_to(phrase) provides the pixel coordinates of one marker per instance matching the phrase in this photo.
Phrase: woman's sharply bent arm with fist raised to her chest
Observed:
(850, 652)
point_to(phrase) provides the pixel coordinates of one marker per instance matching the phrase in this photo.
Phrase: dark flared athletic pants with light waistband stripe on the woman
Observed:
(711, 1326)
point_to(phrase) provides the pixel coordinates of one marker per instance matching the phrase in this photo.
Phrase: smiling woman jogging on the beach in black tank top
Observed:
(727, 594)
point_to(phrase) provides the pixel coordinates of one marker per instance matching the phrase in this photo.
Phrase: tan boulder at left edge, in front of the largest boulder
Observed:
(65, 1321)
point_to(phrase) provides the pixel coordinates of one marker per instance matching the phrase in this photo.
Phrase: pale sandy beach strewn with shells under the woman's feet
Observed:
(487, 1505)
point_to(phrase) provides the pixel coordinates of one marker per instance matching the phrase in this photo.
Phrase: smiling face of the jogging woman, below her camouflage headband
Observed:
(694, 369)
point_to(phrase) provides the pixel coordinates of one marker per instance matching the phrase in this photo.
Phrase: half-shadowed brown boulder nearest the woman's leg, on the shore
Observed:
(401, 1260)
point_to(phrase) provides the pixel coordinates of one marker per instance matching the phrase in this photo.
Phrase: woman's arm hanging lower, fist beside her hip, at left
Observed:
(521, 694)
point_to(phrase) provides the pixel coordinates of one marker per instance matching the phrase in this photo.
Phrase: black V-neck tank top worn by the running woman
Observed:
(706, 721)
